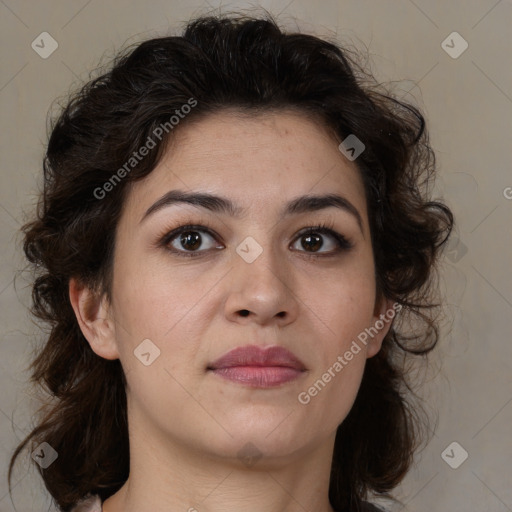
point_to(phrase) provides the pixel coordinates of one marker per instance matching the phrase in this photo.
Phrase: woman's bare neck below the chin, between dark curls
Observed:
(172, 477)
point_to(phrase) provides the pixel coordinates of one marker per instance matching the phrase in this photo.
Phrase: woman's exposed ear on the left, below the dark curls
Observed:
(94, 318)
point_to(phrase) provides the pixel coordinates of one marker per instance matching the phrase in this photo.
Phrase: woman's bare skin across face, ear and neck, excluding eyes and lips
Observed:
(187, 425)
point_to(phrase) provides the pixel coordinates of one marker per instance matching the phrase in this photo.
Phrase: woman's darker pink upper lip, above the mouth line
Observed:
(254, 355)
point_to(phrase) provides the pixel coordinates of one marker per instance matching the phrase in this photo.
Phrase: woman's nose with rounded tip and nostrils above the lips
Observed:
(262, 291)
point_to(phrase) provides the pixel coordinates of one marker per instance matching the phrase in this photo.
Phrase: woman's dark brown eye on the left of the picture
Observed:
(190, 240)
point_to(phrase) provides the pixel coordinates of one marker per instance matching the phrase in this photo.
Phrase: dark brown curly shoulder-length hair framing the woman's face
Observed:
(250, 64)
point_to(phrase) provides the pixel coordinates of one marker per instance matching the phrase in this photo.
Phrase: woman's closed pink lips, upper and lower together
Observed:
(258, 367)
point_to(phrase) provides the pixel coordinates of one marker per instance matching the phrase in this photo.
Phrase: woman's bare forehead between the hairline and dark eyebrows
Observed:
(257, 160)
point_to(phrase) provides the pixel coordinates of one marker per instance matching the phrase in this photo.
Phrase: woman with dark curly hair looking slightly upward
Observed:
(233, 233)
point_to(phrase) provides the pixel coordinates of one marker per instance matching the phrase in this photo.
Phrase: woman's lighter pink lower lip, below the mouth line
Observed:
(259, 376)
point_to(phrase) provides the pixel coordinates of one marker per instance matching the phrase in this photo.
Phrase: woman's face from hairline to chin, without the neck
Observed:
(263, 275)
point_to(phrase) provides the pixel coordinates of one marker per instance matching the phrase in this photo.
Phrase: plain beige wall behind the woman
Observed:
(468, 101)
